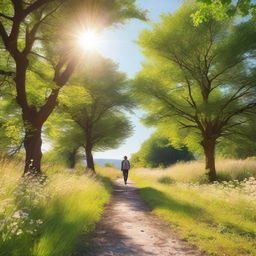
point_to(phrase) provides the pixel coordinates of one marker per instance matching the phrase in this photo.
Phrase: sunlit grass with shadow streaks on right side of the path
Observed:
(219, 218)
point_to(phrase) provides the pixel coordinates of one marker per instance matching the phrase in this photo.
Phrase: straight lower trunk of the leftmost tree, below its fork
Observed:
(32, 144)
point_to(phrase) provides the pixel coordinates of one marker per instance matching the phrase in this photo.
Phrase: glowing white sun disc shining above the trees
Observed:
(89, 39)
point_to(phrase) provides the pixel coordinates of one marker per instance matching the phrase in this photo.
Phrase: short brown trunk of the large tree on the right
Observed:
(209, 151)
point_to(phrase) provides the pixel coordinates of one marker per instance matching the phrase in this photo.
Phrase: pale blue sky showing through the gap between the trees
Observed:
(120, 46)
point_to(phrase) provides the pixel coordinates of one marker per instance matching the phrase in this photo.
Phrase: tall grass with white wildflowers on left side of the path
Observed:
(47, 218)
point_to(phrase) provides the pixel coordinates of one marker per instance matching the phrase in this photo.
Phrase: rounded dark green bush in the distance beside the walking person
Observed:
(157, 152)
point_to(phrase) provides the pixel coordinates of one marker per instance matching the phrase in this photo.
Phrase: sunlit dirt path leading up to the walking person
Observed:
(129, 228)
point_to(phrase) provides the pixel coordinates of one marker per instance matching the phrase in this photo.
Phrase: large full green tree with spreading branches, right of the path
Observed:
(194, 85)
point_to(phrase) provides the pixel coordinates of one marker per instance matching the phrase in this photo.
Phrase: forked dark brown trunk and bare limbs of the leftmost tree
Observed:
(32, 117)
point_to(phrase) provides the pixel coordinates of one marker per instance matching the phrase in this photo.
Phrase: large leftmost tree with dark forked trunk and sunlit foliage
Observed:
(33, 31)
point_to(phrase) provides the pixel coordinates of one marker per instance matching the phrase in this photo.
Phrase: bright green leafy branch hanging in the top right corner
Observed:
(223, 9)
